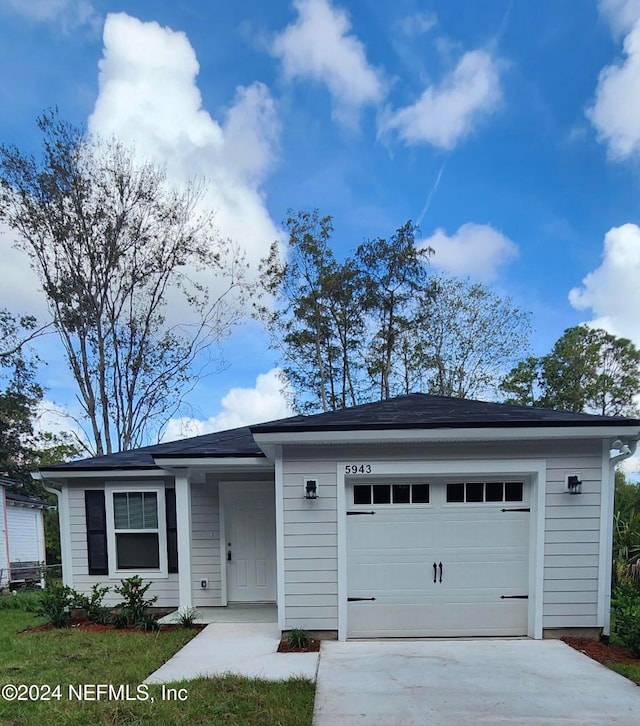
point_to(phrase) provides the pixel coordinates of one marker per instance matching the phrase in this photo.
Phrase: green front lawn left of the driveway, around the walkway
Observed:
(71, 656)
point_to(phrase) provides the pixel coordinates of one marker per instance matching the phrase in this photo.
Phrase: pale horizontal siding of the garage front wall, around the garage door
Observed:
(572, 524)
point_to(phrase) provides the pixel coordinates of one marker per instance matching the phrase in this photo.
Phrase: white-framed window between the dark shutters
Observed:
(138, 531)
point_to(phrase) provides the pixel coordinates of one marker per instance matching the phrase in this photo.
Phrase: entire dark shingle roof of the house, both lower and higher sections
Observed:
(415, 411)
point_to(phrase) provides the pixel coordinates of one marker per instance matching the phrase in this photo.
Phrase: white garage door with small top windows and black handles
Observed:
(437, 559)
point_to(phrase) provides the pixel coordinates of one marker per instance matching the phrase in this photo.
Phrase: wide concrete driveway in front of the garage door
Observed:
(455, 682)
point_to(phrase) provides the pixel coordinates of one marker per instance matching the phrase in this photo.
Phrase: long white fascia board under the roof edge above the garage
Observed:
(444, 434)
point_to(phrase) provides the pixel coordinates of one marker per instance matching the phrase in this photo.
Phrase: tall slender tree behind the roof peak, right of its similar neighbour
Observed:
(393, 271)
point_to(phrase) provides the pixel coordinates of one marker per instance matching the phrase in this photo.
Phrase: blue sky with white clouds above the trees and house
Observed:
(508, 129)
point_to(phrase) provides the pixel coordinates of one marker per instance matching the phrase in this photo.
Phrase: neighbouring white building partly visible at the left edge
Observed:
(22, 543)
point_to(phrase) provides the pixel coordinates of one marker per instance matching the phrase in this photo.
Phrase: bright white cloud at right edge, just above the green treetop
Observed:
(611, 291)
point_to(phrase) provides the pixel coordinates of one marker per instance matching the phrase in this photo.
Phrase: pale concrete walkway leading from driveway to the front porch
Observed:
(245, 649)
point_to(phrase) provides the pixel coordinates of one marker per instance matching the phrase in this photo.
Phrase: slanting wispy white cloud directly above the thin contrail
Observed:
(445, 114)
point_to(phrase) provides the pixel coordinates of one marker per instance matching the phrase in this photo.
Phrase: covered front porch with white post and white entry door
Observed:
(225, 517)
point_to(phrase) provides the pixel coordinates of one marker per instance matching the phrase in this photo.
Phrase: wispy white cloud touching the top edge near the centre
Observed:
(318, 46)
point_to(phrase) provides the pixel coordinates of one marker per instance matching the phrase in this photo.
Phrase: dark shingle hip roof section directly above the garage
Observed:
(424, 411)
